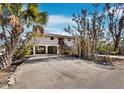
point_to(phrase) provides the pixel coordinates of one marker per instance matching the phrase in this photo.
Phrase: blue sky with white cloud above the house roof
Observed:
(60, 14)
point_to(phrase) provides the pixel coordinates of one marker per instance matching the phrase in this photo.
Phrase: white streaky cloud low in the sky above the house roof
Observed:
(56, 23)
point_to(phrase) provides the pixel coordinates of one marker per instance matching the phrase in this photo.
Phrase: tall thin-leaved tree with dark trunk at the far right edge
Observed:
(114, 14)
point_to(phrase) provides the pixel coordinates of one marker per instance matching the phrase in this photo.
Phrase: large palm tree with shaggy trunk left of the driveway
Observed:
(13, 20)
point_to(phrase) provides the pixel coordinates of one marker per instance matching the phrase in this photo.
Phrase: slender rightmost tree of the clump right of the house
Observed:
(97, 28)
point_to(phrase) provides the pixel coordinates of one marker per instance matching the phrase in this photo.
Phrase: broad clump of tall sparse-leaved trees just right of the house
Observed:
(87, 32)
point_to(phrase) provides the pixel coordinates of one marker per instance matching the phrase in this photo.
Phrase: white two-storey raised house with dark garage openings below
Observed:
(50, 43)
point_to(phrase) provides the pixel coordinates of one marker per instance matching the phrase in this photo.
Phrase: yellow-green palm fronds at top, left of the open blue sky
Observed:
(32, 14)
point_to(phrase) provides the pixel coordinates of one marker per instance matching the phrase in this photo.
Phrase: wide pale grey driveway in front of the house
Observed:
(48, 71)
